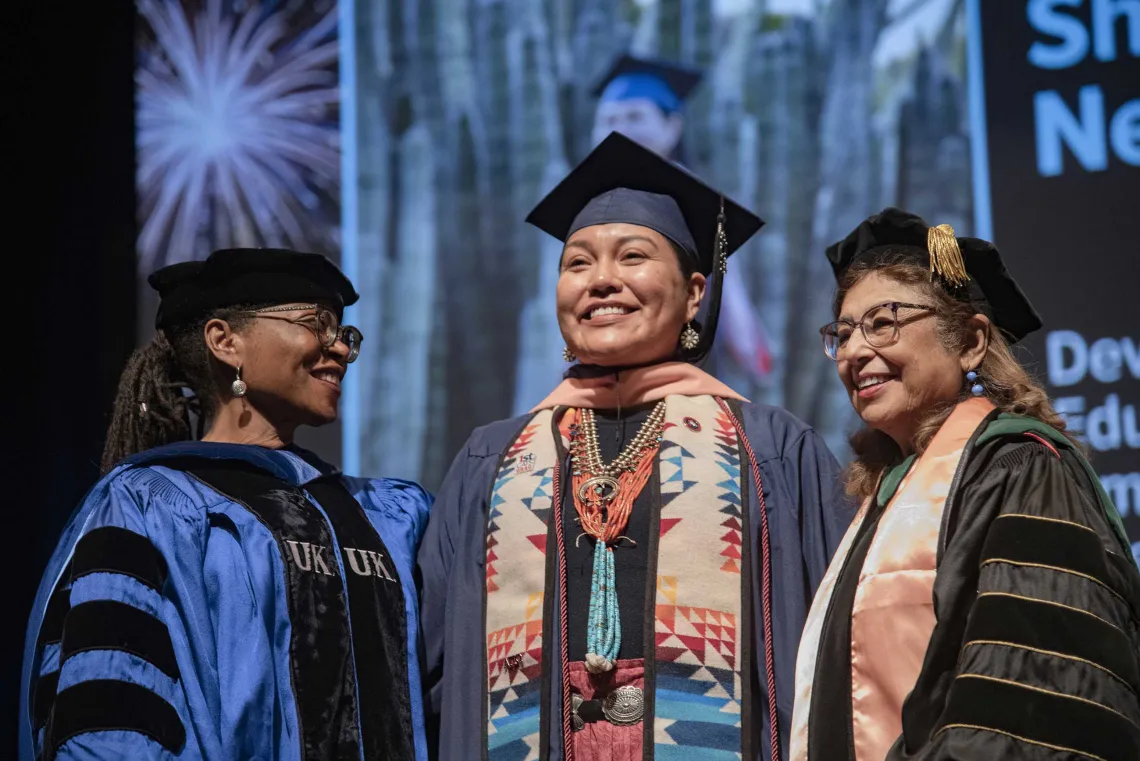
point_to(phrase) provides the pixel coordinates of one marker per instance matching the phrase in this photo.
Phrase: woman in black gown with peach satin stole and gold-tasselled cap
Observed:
(984, 603)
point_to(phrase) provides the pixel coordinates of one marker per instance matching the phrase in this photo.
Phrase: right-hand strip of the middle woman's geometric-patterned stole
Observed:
(702, 523)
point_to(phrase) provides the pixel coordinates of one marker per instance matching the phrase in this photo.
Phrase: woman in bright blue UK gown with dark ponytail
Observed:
(232, 598)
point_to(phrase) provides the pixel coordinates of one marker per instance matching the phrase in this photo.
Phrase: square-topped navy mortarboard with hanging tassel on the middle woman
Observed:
(622, 182)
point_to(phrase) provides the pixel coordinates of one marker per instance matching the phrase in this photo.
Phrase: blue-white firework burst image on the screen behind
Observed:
(238, 128)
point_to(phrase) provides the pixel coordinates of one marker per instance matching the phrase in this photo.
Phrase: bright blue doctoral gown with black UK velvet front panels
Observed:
(178, 621)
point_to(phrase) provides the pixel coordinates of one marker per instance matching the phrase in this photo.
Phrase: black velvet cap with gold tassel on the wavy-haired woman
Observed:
(987, 283)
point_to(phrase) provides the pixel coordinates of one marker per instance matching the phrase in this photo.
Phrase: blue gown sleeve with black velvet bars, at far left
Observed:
(109, 673)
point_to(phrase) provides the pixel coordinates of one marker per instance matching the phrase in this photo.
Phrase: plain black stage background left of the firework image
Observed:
(70, 261)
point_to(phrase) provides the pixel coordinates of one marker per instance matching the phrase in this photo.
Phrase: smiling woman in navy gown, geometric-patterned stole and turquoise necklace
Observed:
(624, 572)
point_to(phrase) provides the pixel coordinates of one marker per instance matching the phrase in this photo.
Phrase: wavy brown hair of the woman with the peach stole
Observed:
(1006, 382)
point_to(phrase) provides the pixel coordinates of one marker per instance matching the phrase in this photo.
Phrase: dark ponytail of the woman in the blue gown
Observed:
(151, 406)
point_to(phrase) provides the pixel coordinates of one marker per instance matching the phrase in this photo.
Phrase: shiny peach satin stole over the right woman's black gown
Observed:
(893, 615)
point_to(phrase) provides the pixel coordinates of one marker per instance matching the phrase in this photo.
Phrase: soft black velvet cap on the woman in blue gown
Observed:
(190, 291)
